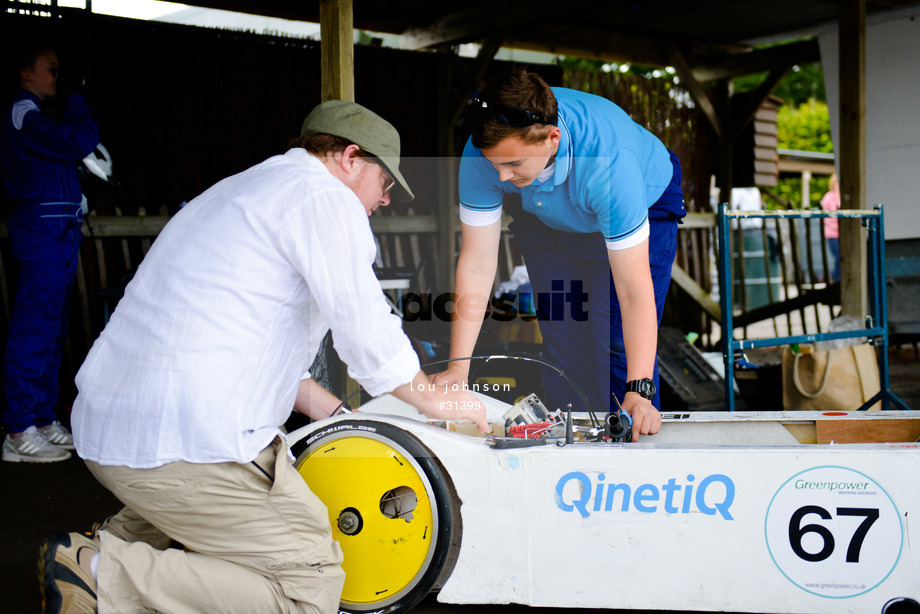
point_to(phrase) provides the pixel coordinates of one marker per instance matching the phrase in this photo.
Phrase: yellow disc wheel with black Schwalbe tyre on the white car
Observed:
(391, 511)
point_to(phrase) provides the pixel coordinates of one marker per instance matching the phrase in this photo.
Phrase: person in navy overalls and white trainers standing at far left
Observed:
(39, 157)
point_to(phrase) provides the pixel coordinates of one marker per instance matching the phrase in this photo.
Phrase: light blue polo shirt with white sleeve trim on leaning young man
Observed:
(608, 171)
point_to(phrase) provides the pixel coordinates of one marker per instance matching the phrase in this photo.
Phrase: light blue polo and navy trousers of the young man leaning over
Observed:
(611, 178)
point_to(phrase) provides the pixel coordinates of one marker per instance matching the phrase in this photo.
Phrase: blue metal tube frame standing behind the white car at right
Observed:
(877, 321)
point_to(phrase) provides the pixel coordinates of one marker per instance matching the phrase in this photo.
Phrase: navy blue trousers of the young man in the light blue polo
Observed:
(562, 264)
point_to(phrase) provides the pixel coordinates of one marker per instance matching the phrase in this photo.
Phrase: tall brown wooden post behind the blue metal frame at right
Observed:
(853, 265)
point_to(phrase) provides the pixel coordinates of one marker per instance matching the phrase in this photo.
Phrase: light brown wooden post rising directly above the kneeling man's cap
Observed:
(337, 48)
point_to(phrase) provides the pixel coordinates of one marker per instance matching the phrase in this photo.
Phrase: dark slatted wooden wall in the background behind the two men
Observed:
(174, 129)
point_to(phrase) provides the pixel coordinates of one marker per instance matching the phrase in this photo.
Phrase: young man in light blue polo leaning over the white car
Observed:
(597, 227)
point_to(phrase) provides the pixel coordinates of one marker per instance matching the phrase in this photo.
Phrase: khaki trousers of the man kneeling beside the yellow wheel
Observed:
(251, 544)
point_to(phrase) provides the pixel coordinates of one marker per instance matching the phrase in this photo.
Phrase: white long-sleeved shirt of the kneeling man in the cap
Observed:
(202, 358)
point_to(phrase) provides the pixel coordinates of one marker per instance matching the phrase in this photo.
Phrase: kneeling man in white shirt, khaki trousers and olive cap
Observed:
(181, 397)
